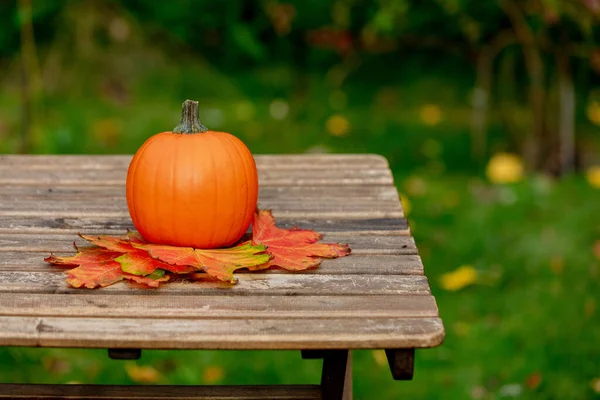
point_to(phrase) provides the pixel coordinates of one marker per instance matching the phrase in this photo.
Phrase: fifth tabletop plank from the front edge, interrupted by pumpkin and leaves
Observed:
(44, 242)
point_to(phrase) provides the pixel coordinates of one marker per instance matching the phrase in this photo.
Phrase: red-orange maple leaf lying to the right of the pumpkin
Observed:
(292, 249)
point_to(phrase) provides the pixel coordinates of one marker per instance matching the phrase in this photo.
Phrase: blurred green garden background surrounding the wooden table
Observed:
(488, 112)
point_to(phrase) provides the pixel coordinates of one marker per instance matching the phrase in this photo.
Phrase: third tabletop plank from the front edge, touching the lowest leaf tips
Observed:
(248, 284)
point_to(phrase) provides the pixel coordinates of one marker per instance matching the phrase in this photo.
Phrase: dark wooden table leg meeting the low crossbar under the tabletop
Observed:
(336, 378)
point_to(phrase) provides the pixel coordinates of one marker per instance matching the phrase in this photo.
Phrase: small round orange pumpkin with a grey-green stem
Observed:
(192, 187)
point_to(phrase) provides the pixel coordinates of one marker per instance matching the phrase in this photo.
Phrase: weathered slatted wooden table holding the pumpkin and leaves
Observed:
(376, 298)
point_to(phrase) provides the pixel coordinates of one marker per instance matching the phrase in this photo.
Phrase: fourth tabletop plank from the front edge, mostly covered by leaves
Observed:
(352, 265)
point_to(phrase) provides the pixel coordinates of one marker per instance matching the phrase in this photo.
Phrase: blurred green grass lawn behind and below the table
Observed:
(533, 312)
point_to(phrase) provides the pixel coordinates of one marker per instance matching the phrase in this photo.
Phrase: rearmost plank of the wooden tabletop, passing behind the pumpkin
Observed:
(296, 161)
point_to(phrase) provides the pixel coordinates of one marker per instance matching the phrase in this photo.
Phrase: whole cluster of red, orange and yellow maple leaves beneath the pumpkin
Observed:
(130, 257)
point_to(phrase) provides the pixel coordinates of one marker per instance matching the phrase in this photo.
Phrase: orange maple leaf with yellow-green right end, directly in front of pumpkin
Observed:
(220, 263)
